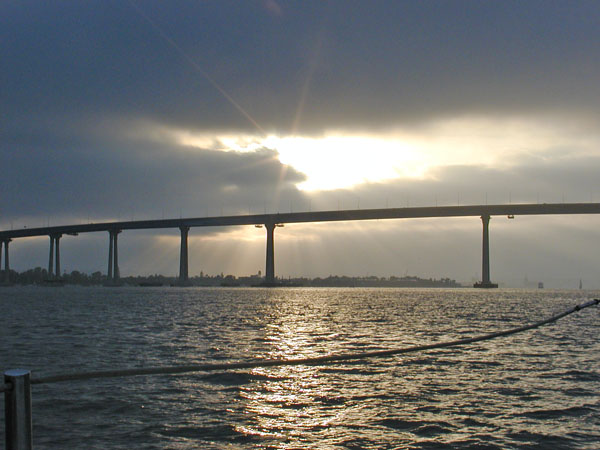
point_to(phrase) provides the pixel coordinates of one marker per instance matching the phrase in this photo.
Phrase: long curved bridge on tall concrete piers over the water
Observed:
(271, 221)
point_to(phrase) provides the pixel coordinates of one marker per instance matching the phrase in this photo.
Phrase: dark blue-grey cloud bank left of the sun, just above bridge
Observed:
(112, 178)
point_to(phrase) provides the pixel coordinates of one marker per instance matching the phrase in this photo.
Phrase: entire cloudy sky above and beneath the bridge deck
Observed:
(120, 110)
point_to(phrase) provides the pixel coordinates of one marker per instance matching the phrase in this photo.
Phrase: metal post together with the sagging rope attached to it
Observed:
(18, 382)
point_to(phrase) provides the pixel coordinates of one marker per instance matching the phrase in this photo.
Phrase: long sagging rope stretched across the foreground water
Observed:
(320, 360)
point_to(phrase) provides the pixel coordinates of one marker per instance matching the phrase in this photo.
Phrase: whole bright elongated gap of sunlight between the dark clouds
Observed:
(343, 160)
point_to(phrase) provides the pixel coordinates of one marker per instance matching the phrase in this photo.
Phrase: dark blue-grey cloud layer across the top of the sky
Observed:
(360, 64)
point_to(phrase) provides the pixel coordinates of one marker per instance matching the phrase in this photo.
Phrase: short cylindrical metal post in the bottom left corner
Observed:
(17, 409)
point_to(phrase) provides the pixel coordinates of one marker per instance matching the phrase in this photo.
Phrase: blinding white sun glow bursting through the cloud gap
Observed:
(338, 162)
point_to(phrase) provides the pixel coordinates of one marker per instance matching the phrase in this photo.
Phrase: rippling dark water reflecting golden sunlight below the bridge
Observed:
(539, 389)
